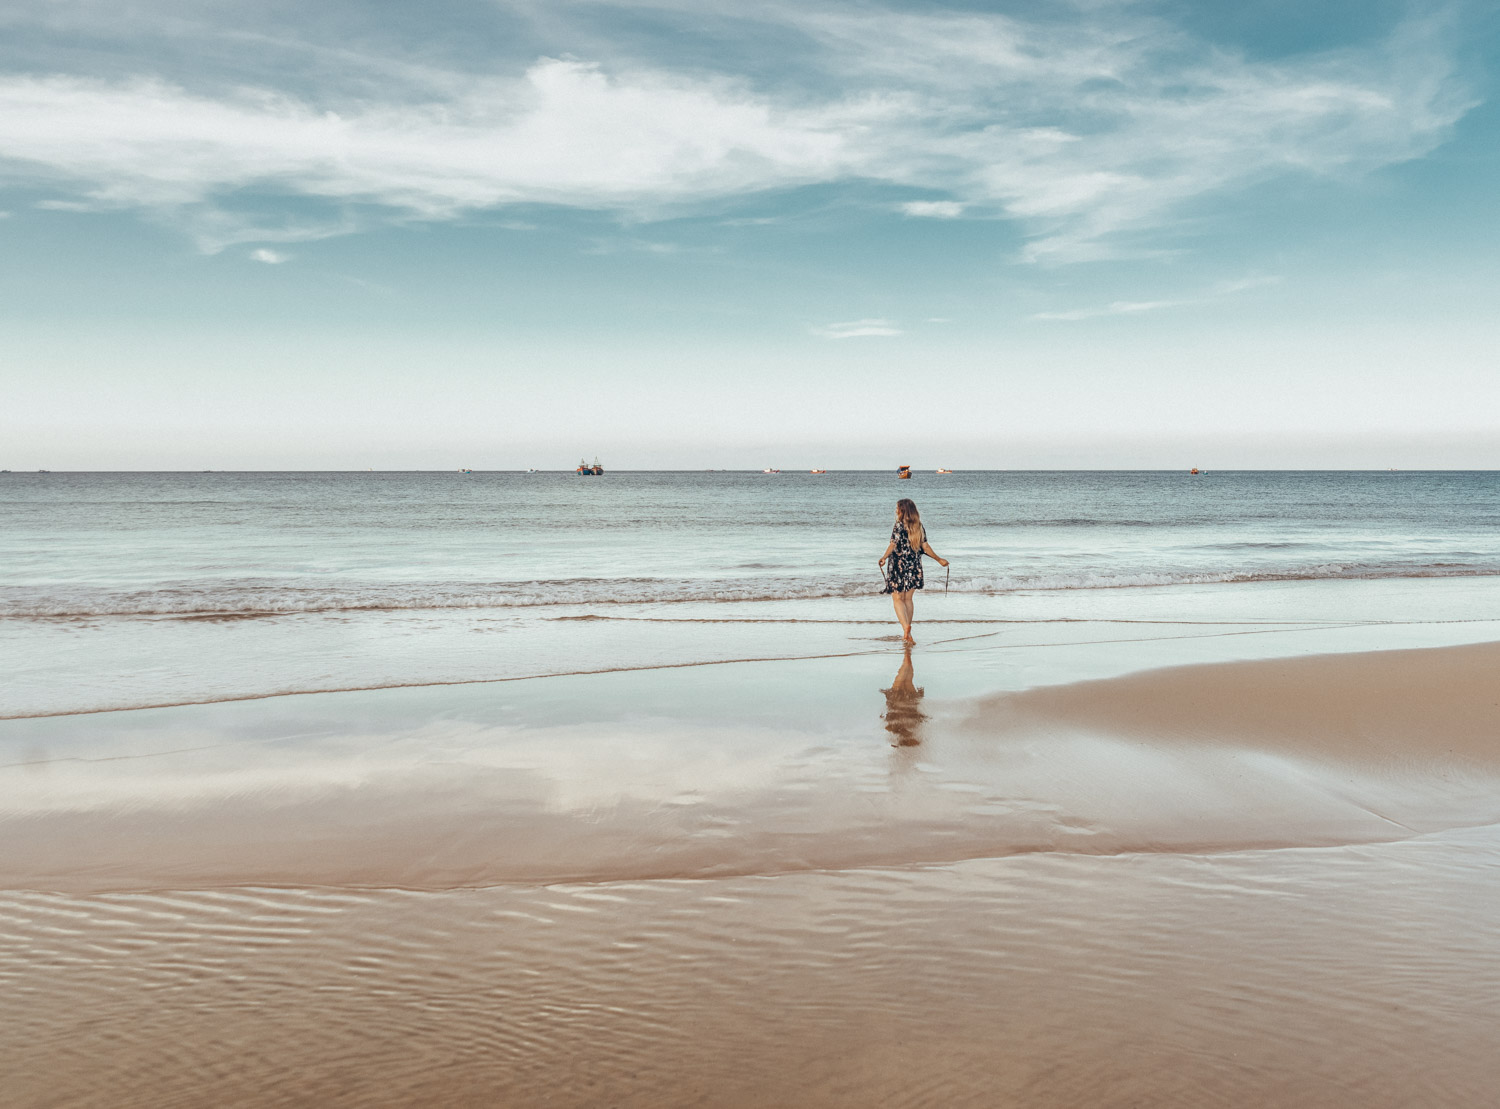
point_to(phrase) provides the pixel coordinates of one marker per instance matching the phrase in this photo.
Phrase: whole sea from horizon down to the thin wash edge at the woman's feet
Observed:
(137, 589)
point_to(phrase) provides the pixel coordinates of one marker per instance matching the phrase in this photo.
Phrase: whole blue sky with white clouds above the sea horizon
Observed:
(704, 235)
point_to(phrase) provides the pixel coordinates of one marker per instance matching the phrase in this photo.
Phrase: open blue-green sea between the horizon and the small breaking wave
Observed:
(238, 544)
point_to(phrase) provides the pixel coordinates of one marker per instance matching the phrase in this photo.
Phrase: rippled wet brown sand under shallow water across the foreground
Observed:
(1354, 976)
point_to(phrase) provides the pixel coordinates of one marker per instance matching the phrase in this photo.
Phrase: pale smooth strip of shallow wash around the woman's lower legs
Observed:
(127, 664)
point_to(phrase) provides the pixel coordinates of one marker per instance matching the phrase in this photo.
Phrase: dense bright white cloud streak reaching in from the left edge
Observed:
(565, 133)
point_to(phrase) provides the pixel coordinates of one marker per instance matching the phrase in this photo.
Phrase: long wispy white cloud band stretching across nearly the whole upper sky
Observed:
(1085, 131)
